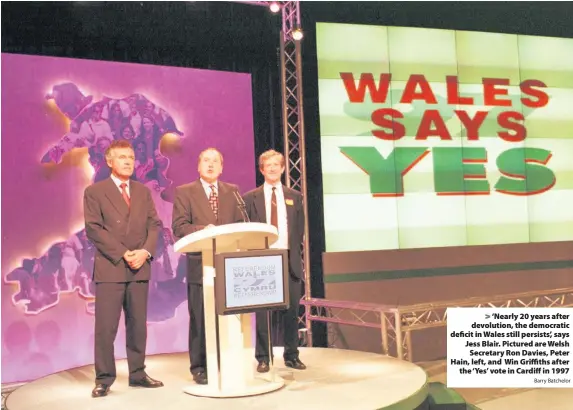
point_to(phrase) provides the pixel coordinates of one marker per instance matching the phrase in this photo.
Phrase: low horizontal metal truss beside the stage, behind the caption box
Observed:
(396, 323)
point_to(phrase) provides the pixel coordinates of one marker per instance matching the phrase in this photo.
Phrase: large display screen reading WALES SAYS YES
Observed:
(435, 138)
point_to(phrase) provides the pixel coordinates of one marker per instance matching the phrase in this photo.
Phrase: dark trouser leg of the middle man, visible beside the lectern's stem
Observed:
(197, 346)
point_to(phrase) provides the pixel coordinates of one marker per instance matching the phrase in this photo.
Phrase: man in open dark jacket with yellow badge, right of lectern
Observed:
(282, 207)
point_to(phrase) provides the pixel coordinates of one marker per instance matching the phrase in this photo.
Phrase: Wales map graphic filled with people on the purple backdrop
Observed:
(67, 266)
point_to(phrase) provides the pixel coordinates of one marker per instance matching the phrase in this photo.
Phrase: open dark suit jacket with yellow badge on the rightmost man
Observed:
(256, 209)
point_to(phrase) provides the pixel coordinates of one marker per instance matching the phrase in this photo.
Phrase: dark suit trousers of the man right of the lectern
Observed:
(289, 321)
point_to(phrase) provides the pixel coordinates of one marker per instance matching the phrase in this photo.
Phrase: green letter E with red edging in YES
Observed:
(460, 170)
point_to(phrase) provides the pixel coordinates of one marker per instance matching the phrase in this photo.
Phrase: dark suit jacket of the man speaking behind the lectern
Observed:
(192, 212)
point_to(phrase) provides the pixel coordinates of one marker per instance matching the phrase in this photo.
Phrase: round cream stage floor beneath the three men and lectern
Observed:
(334, 379)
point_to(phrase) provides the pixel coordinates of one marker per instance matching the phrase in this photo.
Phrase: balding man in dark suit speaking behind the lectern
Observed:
(198, 205)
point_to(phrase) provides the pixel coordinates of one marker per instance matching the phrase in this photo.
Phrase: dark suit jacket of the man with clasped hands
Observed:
(114, 229)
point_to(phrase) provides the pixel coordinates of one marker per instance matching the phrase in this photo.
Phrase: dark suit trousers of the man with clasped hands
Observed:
(111, 298)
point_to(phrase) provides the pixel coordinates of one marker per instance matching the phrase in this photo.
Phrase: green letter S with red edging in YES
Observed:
(524, 171)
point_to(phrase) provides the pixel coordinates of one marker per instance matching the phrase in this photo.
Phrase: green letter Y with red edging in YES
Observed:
(386, 174)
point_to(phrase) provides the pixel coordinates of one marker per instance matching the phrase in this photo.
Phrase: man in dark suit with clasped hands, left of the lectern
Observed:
(122, 223)
